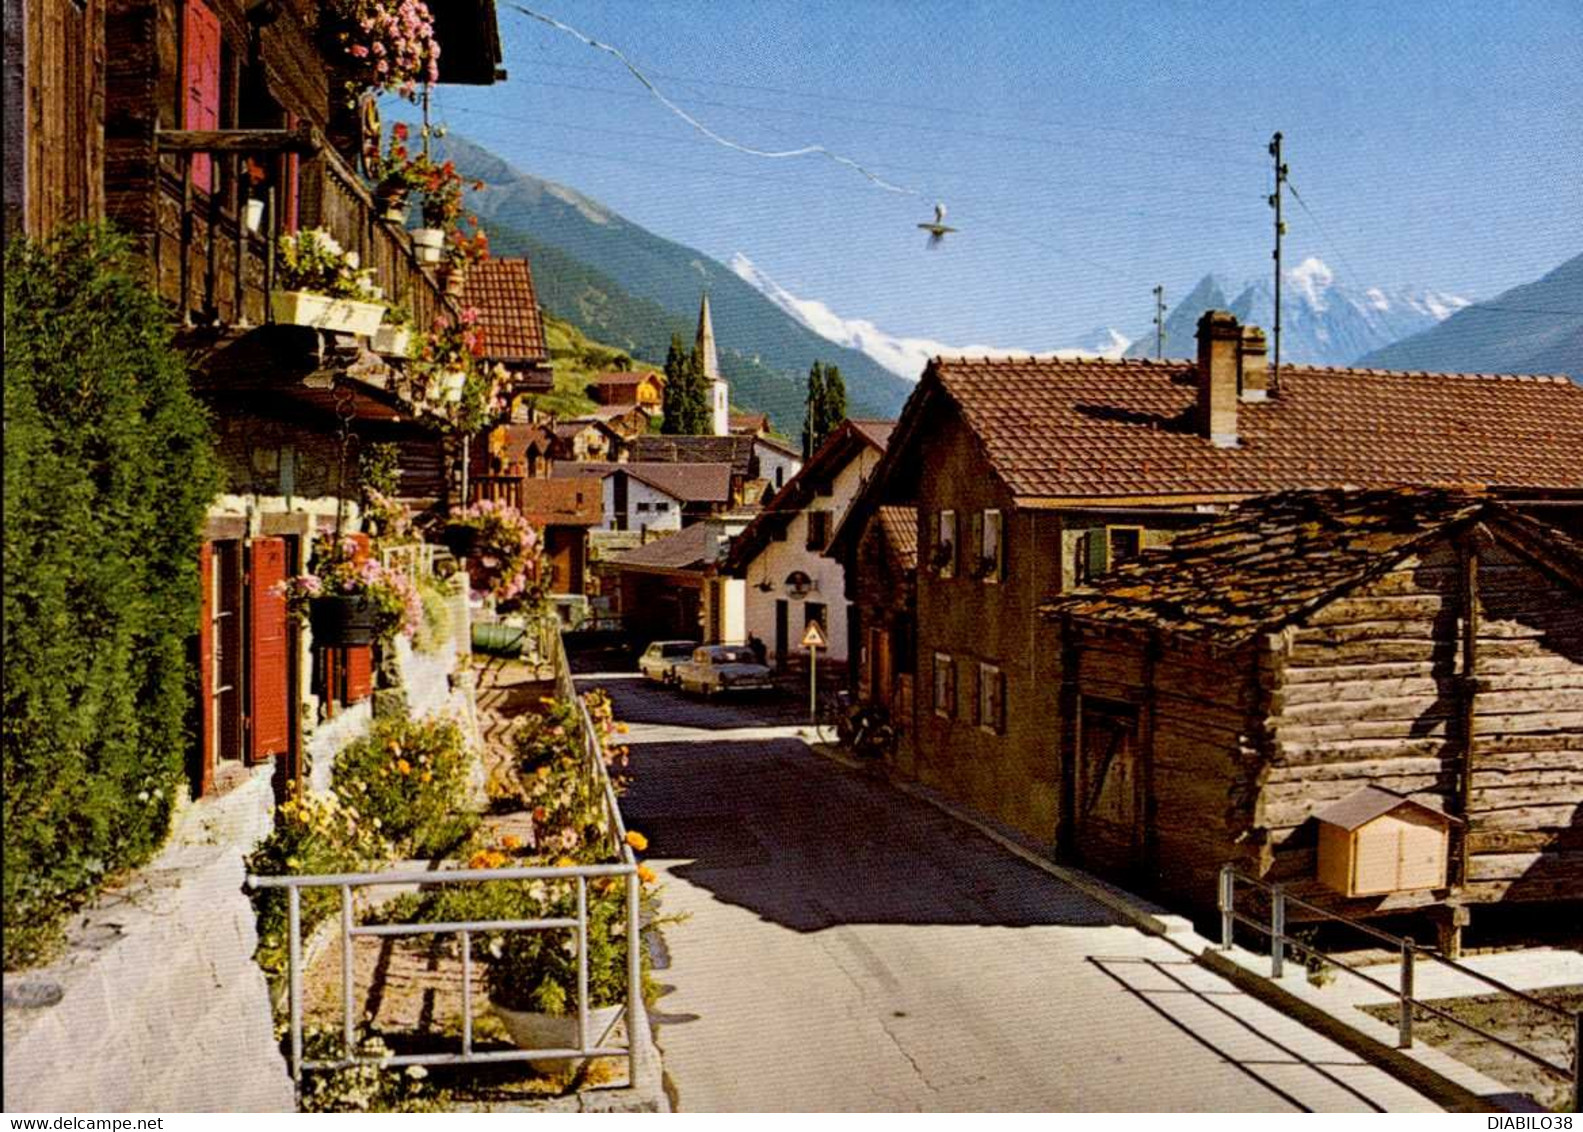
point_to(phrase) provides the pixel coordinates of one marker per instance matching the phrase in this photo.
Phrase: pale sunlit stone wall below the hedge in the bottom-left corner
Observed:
(158, 1005)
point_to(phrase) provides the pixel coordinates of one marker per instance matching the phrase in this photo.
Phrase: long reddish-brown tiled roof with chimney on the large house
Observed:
(1095, 428)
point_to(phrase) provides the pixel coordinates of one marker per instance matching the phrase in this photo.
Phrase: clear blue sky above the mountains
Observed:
(1088, 151)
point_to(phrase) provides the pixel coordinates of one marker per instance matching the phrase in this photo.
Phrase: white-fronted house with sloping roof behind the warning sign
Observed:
(778, 569)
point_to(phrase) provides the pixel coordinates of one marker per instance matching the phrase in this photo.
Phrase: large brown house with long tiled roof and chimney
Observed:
(1034, 477)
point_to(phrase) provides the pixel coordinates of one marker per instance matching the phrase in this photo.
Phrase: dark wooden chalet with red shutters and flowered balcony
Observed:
(169, 118)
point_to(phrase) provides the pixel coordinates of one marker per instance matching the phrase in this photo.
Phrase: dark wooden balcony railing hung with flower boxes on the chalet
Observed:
(216, 272)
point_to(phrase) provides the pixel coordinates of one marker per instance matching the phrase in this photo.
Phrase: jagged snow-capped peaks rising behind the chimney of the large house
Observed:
(1323, 322)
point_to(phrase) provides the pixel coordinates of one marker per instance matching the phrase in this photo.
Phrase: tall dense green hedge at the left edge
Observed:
(108, 473)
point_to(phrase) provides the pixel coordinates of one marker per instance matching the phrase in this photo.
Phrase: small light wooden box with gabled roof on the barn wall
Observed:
(1375, 843)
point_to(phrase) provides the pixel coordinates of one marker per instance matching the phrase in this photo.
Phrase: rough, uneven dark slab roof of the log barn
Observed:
(1277, 558)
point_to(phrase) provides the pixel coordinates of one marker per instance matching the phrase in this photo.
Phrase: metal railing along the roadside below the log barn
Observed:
(1410, 952)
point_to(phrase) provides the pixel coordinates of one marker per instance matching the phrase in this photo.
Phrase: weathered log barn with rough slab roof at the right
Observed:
(1373, 697)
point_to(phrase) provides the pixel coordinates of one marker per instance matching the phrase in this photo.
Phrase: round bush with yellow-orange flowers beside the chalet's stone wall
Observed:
(411, 780)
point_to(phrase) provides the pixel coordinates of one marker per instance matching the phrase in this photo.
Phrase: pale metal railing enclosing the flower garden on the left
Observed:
(465, 930)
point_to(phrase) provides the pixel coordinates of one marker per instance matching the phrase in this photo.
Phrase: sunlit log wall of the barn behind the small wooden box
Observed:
(1372, 691)
